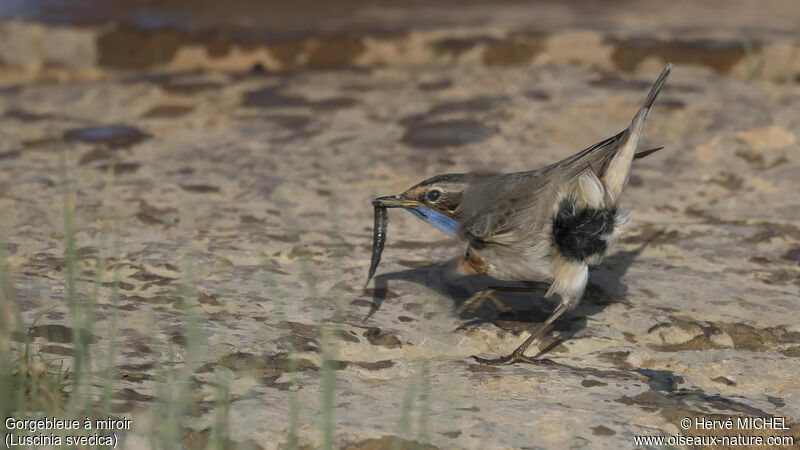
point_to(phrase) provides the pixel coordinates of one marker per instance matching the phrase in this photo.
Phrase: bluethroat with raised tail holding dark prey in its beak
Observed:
(548, 224)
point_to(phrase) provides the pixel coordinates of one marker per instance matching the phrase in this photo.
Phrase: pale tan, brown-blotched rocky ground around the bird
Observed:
(693, 314)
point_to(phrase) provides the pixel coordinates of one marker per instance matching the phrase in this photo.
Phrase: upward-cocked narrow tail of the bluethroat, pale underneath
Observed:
(616, 173)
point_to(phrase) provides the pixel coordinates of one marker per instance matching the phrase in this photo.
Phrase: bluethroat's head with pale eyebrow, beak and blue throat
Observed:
(436, 200)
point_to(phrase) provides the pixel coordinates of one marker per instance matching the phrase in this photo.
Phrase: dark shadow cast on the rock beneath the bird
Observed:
(605, 287)
